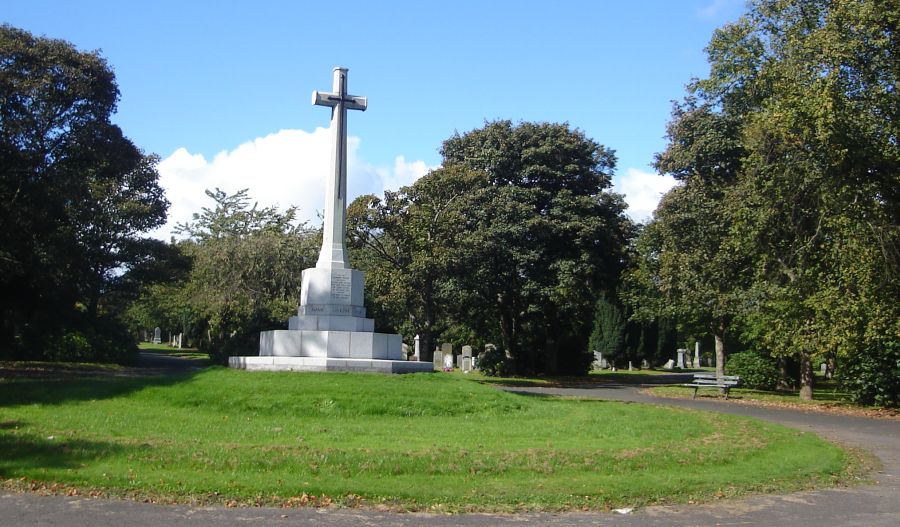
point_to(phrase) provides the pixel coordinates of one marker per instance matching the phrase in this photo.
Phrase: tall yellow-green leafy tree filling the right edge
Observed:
(810, 87)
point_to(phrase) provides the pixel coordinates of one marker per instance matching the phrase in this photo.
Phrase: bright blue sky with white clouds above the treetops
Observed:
(221, 90)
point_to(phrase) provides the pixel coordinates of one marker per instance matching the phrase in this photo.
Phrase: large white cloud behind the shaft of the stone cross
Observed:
(286, 168)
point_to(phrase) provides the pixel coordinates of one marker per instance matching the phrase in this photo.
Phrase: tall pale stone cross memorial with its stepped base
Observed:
(331, 331)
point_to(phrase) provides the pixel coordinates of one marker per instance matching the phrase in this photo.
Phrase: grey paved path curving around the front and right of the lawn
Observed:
(876, 505)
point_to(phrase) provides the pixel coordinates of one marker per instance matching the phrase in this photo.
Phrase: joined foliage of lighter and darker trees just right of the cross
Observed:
(507, 241)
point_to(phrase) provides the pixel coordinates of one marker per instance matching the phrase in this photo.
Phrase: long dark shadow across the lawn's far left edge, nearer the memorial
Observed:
(54, 390)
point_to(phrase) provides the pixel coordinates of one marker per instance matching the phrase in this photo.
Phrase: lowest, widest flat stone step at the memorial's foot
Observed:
(328, 364)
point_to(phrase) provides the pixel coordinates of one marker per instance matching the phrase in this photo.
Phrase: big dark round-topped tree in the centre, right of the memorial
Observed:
(543, 234)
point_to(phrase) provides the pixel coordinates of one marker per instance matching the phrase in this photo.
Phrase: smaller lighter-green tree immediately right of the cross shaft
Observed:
(405, 244)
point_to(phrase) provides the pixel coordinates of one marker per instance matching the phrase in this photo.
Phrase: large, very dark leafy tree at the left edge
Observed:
(76, 192)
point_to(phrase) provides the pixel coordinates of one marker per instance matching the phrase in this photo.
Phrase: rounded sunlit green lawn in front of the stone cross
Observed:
(410, 442)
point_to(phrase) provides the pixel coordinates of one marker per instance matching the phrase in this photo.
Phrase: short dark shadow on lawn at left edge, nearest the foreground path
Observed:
(27, 452)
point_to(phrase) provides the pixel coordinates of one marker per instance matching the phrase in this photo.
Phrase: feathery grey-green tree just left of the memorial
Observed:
(245, 275)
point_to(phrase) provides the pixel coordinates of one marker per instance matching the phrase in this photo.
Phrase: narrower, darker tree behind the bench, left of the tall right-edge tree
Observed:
(685, 268)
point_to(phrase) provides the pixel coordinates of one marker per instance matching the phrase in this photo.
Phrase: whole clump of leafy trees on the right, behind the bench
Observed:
(786, 224)
